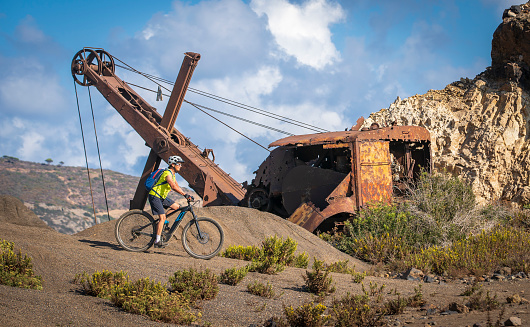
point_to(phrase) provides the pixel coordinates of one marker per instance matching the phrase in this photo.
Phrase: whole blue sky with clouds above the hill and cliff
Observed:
(322, 62)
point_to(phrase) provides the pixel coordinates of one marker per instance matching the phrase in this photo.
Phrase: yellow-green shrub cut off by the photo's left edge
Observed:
(17, 270)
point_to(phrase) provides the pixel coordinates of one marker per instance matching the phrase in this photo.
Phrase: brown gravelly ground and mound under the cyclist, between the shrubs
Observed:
(58, 258)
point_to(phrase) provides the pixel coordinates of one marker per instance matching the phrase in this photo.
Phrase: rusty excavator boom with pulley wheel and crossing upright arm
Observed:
(96, 67)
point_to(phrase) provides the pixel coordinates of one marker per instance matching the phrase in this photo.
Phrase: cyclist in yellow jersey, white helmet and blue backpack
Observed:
(158, 195)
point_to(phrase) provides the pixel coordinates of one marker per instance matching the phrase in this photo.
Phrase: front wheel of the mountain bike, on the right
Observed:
(209, 245)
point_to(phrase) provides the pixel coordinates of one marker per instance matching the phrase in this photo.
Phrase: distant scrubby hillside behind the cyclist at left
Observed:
(60, 195)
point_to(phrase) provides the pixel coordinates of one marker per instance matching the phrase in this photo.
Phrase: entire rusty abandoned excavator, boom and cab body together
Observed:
(313, 180)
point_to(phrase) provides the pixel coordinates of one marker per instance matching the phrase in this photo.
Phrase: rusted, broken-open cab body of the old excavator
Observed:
(318, 179)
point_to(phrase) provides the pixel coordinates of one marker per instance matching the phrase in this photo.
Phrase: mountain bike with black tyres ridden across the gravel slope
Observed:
(202, 237)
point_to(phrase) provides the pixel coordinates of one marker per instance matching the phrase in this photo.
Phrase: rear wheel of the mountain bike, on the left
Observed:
(135, 230)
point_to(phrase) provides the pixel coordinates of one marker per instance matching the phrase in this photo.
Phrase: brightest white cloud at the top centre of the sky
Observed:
(302, 31)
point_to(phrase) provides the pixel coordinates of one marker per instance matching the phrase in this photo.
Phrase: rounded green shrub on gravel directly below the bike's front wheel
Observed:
(194, 285)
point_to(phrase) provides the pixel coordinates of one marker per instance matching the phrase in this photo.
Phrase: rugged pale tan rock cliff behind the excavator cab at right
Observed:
(480, 128)
